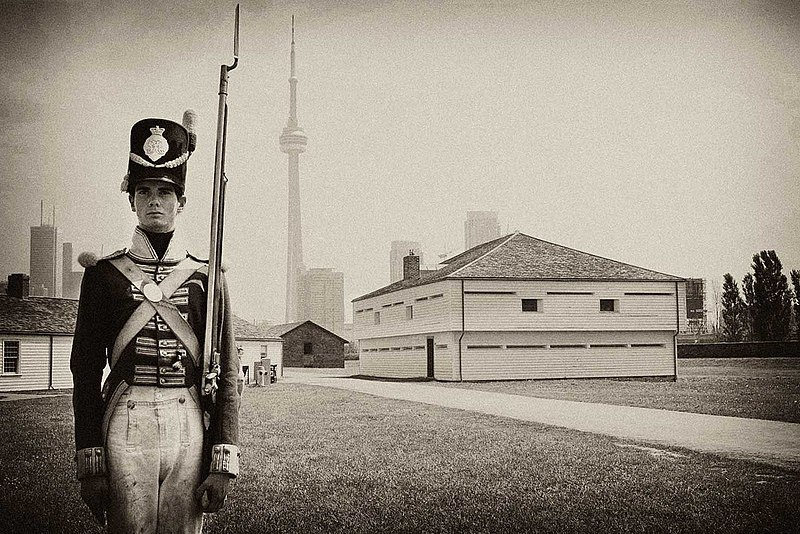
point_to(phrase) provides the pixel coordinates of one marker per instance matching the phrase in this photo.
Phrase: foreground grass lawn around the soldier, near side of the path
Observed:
(326, 460)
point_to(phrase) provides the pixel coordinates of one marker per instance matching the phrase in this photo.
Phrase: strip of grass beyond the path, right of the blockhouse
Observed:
(759, 388)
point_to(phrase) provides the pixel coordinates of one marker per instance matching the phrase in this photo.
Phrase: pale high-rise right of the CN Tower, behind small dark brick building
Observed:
(322, 298)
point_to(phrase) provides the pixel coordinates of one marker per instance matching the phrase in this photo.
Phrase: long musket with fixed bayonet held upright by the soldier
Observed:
(209, 363)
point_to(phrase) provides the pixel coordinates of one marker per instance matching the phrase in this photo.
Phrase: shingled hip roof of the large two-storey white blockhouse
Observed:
(521, 257)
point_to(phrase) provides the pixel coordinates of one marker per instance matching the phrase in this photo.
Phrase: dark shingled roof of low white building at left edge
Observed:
(37, 315)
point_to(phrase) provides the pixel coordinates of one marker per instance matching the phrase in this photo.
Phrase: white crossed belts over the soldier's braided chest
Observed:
(147, 309)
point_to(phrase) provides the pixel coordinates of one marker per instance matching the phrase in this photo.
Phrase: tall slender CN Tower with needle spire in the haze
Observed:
(293, 141)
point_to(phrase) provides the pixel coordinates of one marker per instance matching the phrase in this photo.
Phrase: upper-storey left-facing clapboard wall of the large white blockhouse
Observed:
(437, 307)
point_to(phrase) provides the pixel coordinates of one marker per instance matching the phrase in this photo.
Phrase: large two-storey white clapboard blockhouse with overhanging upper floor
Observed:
(518, 307)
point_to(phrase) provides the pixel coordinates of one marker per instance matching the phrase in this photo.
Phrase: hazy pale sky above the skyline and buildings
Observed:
(662, 134)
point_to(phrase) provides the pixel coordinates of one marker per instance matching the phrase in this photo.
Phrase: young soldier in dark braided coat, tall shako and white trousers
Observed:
(152, 454)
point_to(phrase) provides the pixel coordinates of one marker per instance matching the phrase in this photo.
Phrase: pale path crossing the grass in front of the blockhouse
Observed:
(753, 439)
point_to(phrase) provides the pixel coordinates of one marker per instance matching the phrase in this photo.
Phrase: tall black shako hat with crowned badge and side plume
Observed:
(160, 149)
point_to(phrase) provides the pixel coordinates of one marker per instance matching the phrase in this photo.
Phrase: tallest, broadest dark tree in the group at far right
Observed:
(770, 308)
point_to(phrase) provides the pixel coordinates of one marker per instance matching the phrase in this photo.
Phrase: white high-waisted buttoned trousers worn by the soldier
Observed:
(154, 453)
